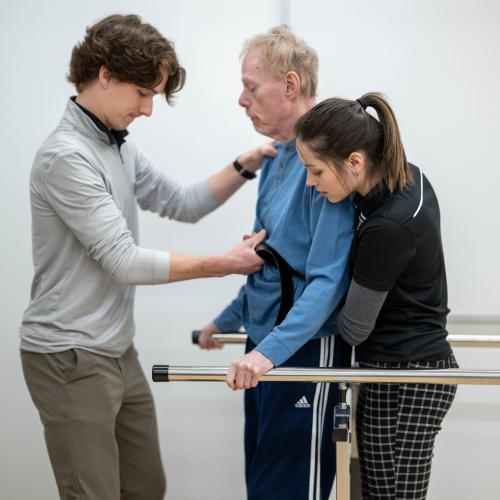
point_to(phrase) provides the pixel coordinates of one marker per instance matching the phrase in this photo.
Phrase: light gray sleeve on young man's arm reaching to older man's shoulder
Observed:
(158, 193)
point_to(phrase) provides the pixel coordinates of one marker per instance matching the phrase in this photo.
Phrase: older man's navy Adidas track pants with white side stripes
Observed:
(289, 453)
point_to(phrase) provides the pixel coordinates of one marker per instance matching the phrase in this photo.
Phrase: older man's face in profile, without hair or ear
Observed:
(263, 96)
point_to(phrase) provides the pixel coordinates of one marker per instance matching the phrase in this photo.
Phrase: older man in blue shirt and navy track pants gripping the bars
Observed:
(288, 447)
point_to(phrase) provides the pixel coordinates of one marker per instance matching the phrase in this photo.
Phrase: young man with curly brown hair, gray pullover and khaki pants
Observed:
(77, 349)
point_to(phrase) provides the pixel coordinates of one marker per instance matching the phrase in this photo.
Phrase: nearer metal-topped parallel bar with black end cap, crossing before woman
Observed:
(167, 373)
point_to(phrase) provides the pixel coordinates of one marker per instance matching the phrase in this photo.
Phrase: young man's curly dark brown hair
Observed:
(131, 50)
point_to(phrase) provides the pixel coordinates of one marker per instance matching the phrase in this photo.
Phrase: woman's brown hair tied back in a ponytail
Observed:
(334, 128)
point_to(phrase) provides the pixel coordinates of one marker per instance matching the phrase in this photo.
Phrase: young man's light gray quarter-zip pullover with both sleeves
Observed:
(84, 191)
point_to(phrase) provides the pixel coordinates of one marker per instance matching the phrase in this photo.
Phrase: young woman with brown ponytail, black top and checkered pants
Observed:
(396, 307)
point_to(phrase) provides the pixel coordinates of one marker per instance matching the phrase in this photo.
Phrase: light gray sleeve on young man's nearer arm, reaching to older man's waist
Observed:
(77, 193)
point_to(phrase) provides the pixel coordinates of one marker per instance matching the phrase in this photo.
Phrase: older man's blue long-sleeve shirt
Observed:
(314, 237)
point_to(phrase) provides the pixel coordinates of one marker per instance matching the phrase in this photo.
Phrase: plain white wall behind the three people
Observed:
(438, 63)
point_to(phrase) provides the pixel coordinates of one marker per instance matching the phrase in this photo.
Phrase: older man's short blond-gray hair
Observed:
(284, 51)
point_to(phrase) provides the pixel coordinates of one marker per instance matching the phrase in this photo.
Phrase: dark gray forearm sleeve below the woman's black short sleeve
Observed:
(356, 319)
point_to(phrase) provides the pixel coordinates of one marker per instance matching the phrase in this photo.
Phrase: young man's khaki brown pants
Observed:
(100, 424)
